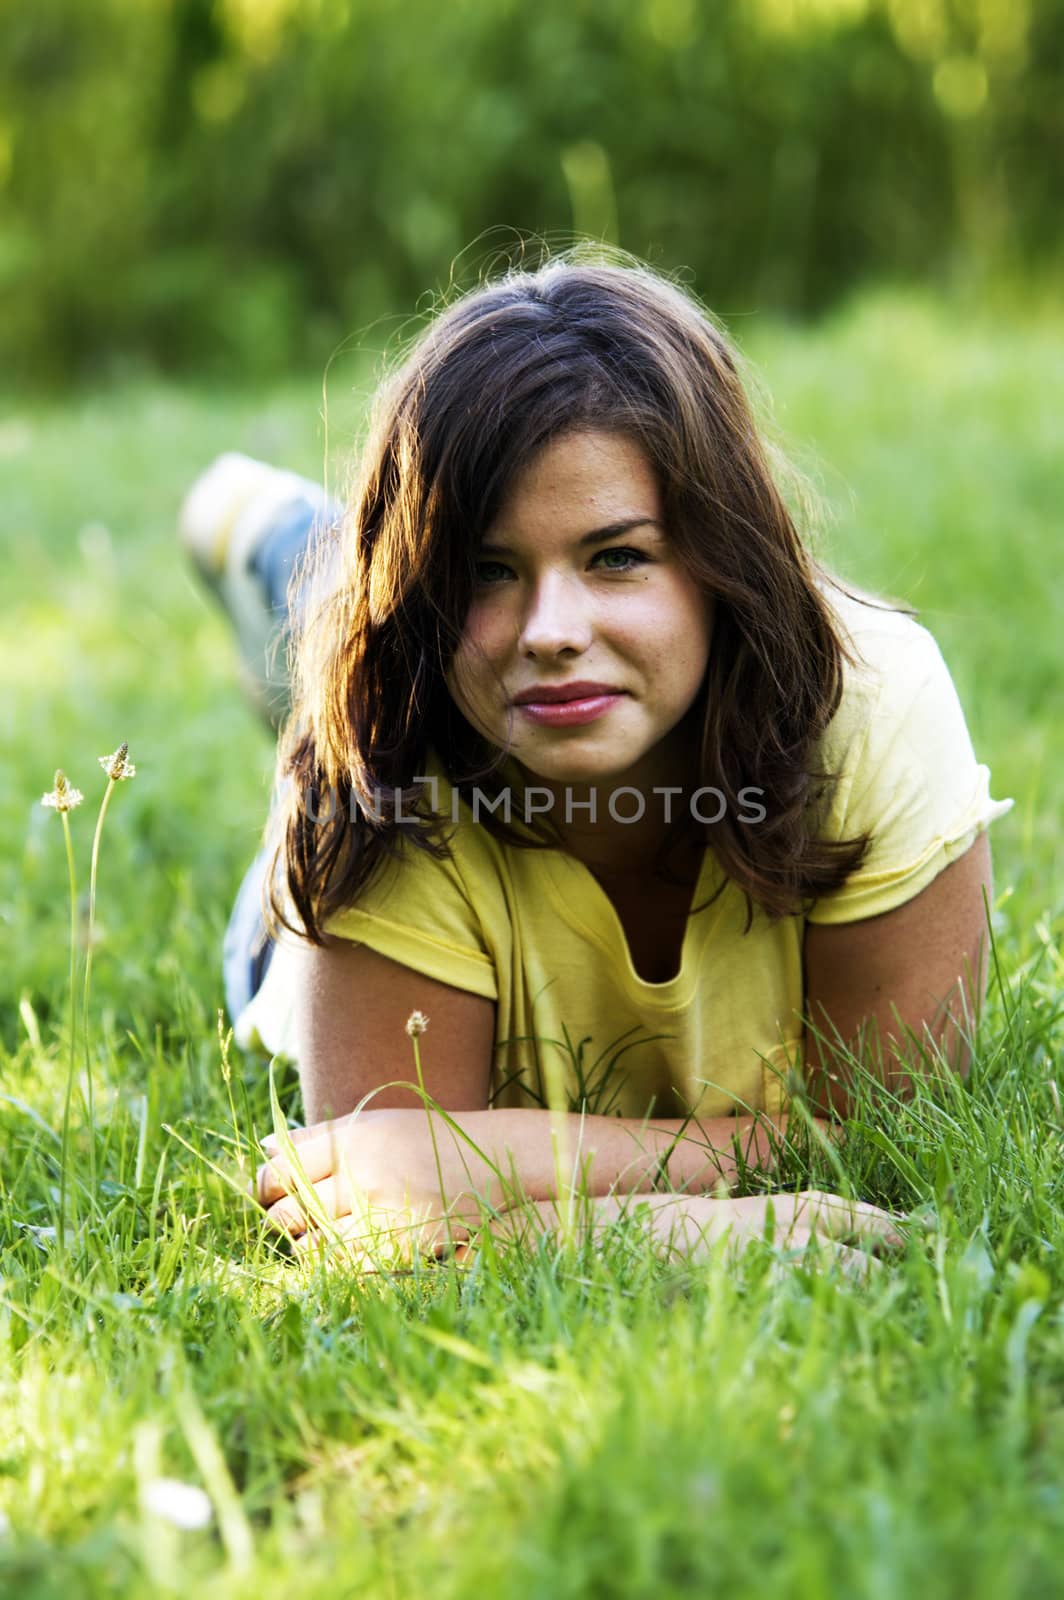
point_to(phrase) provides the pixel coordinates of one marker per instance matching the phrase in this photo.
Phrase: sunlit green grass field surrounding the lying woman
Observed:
(559, 1423)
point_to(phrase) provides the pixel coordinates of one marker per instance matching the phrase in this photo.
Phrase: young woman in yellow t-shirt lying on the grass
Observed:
(591, 762)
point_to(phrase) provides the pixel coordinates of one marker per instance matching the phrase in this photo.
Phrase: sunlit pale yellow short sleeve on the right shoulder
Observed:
(908, 775)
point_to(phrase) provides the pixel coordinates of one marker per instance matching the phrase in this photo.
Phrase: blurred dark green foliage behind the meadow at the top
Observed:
(242, 183)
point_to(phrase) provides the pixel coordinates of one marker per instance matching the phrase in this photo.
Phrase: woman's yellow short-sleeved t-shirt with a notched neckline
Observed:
(535, 932)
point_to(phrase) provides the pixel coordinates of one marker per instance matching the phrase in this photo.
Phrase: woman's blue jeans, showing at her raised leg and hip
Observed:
(247, 948)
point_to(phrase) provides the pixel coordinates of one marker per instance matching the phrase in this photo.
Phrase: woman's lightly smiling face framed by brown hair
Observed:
(586, 641)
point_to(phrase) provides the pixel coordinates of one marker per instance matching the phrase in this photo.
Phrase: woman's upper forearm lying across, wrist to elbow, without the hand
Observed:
(540, 1153)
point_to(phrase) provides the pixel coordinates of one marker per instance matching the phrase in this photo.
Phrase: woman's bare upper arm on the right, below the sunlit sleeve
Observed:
(919, 970)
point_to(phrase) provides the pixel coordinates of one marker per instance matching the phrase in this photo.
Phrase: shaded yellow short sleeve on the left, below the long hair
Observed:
(420, 913)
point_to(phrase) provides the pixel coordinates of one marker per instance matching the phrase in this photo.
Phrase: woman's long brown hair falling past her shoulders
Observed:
(498, 375)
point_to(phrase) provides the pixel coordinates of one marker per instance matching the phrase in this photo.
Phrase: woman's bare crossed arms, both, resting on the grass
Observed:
(879, 988)
